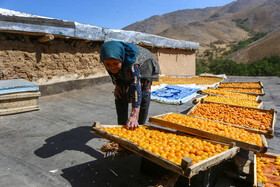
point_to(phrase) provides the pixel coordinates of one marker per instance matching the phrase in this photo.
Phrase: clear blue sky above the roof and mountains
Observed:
(114, 14)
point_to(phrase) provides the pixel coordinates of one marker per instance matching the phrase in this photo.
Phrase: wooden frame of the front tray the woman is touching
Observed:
(186, 169)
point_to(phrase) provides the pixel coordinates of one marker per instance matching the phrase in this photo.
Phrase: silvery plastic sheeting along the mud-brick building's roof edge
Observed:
(17, 21)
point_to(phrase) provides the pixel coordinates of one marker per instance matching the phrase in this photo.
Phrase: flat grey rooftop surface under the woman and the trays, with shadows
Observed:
(53, 146)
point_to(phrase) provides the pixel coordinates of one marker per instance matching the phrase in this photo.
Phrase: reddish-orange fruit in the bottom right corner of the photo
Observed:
(268, 170)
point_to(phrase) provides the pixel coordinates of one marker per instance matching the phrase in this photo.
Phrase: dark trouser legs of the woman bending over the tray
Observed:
(122, 109)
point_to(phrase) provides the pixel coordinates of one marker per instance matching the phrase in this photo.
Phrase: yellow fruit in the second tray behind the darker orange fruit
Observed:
(230, 94)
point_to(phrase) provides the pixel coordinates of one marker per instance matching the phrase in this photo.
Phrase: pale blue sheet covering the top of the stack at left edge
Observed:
(16, 86)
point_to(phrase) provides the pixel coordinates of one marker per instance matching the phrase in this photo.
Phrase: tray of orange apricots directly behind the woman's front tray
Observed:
(212, 130)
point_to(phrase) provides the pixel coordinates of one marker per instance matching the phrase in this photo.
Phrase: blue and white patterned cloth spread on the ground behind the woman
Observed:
(172, 94)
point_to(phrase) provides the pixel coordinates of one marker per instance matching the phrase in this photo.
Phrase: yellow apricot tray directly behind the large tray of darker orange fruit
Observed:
(230, 100)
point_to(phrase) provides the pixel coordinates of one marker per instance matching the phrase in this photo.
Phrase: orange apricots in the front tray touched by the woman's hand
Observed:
(169, 145)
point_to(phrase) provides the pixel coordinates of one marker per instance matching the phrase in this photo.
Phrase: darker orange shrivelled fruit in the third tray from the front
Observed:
(235, 115)
